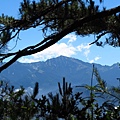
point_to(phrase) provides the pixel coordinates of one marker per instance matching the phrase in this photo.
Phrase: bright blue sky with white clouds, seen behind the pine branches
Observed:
(70, 46)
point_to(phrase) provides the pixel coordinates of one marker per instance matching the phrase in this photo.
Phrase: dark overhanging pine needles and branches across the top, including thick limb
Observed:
(57, 18)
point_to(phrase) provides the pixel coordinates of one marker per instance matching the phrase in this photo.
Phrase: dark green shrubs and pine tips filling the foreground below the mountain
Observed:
(65, 104)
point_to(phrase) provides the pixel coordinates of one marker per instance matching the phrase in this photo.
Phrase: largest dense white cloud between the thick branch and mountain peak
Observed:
(53, 51)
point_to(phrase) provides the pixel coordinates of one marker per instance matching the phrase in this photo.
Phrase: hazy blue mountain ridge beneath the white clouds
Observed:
(50, 72)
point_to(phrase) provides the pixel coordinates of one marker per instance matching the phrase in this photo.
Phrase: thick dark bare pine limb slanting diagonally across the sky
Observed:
(50, 40)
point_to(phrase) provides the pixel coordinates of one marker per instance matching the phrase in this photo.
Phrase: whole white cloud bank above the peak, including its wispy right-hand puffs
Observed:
(65, 49)
